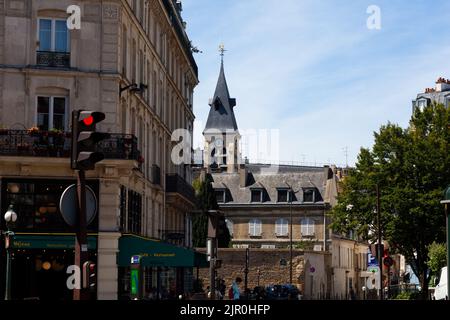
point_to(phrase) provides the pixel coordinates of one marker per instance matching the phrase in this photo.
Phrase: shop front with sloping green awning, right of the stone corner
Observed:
(168, 269)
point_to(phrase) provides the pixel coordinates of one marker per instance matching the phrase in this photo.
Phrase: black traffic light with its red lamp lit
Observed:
(85, 138)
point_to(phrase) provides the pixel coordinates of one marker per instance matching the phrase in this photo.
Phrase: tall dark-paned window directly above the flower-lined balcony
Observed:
(51, 113)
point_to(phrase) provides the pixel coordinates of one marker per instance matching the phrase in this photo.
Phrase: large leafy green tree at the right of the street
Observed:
(412, 168)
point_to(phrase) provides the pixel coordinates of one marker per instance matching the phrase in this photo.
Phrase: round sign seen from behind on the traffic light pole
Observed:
(69, 209)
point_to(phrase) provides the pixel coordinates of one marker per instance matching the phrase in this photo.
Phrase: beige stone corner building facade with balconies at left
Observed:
(131, 60)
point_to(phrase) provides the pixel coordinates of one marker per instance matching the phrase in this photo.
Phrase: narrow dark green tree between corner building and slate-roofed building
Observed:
(206, 200)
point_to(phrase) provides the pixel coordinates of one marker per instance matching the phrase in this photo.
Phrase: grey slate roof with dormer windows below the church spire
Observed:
(299, 178)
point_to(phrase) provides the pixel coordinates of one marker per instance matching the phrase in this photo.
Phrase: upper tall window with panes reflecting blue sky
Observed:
(53, 35)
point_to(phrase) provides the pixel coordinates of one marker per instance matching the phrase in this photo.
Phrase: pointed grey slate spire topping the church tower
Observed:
(221, 115)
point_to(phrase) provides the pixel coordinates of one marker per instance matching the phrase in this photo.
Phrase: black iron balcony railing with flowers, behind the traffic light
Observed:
(57, 144)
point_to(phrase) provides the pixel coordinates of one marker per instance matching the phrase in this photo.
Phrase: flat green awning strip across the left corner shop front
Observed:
(49, 241)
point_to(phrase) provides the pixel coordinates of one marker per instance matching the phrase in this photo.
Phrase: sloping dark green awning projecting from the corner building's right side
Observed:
(155, 253)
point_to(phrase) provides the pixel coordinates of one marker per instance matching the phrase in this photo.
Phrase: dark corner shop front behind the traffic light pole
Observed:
(43, 245)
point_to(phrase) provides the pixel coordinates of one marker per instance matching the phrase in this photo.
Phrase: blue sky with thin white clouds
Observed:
(313, 70)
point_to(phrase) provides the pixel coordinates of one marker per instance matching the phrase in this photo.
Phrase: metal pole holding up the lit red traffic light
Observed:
(81, 249)
